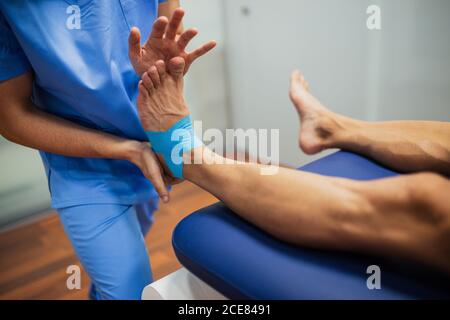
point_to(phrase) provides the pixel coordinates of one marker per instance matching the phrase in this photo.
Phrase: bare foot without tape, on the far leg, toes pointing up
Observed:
(318, 124)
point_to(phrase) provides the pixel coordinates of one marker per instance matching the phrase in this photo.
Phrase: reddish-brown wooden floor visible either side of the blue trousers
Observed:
(34, 257)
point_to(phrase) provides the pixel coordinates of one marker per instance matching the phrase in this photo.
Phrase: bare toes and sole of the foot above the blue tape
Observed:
(160, 102)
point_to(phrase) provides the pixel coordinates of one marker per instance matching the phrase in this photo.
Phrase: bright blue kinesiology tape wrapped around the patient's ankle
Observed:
(171, 144)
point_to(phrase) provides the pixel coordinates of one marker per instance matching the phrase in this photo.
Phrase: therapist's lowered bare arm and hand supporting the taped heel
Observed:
(23, 123)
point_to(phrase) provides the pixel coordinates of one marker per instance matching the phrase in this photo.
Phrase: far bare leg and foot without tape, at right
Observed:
(402, 145)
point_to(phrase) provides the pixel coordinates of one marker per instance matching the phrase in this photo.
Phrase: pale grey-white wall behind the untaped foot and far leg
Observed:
(401, 71)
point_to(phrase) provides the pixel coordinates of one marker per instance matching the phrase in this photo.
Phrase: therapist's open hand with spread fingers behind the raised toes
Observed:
(163, 44)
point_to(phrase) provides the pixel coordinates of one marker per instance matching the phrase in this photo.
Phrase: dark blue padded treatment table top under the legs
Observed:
(244, 262)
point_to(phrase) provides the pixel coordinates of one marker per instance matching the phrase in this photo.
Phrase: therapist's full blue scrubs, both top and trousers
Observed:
(78, 51)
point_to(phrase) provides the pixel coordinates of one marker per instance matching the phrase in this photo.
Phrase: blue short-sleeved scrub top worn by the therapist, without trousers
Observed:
(83, 75)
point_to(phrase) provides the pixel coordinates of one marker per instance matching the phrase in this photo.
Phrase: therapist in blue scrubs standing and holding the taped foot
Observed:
(68, 88)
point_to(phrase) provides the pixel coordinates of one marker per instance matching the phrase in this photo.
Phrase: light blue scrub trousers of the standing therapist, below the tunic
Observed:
(109, 241)
